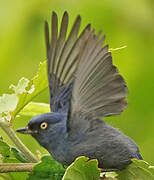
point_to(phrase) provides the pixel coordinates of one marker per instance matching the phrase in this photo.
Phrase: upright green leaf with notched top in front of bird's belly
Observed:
(82, 169)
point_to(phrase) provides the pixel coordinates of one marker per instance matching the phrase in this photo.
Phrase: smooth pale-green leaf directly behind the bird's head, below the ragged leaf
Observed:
(33, 108)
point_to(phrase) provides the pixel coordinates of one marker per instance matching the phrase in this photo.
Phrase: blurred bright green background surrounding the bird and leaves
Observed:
(125, 22)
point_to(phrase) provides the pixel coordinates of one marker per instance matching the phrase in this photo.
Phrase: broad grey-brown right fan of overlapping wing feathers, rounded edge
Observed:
(99, 90)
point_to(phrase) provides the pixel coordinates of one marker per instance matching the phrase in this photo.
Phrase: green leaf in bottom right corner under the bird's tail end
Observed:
(137, 170)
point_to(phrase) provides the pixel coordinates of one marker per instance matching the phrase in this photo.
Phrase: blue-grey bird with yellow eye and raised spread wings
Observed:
(84, 88)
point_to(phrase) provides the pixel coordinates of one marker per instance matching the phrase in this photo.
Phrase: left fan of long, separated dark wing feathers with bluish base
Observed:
(62, 55)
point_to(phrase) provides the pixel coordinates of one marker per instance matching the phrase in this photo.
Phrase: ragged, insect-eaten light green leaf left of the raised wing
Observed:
(23, 93)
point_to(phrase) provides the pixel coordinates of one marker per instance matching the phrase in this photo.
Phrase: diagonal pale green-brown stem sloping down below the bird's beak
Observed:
(23, 149)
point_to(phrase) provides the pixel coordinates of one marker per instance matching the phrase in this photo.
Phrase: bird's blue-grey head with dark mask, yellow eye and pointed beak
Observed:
(45, 128)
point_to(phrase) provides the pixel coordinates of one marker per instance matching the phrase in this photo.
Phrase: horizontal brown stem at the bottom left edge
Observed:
(16, 167)
